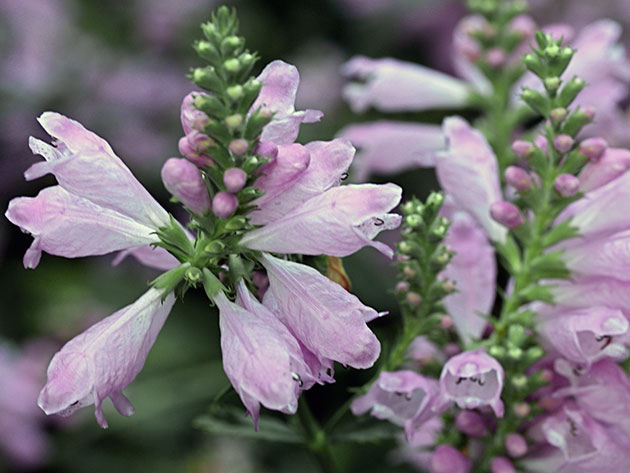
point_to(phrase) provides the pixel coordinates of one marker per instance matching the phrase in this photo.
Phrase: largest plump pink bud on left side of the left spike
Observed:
(183, 180)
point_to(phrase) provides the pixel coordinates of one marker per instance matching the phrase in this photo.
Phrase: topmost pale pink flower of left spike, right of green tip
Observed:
(280, 82)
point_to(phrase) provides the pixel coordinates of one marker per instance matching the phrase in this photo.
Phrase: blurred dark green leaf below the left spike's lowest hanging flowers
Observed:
(232, 421)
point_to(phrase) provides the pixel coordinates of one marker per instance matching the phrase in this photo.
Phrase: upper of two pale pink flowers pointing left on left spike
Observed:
(85, 165)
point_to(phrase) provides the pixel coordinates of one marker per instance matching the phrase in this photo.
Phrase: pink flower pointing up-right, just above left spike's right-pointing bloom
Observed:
(309, 171)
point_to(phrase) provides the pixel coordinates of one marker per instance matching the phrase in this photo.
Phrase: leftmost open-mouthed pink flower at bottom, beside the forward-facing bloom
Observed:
(397, 396)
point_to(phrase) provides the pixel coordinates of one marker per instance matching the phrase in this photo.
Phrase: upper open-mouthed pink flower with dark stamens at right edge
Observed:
(586, 335)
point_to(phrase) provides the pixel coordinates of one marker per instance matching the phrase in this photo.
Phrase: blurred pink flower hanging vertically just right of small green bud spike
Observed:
(473, 268)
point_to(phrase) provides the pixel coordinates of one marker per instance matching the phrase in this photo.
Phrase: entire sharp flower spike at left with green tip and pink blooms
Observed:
(250, 191)
